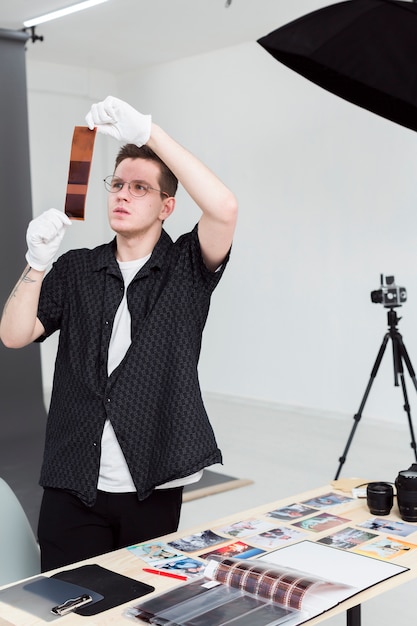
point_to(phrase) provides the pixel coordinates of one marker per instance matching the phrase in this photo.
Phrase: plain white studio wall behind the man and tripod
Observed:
(327, 195)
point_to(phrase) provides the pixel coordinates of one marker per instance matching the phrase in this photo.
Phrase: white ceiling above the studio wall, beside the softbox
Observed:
(123, 35)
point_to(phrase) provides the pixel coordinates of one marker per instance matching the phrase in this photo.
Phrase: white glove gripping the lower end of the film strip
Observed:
(44, 236)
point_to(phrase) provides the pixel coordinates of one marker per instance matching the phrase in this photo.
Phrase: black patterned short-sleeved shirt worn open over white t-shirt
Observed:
(153, 398)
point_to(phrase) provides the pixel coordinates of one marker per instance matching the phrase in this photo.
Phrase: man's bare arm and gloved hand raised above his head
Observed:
(218, 204)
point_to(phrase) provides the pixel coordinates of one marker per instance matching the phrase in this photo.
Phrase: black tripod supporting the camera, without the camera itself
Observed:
(400, 354)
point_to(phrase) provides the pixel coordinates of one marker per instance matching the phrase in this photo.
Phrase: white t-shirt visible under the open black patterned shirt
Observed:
(114, 475)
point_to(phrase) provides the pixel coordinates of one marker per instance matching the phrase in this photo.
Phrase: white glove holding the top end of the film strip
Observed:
(119, 120)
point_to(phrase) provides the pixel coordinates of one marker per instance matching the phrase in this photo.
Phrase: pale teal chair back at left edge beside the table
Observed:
(19, 550)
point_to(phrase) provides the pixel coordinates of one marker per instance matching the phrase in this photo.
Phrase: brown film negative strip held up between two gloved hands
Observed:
(79, 171)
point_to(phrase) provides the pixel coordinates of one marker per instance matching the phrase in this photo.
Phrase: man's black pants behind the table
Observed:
(70, 531)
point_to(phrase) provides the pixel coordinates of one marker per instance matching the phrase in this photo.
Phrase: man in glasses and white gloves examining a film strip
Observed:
(127, 426)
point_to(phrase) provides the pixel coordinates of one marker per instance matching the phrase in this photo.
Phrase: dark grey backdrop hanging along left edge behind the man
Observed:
(22, 410)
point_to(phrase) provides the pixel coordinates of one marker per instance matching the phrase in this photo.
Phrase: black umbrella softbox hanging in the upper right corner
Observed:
(364, 51)
